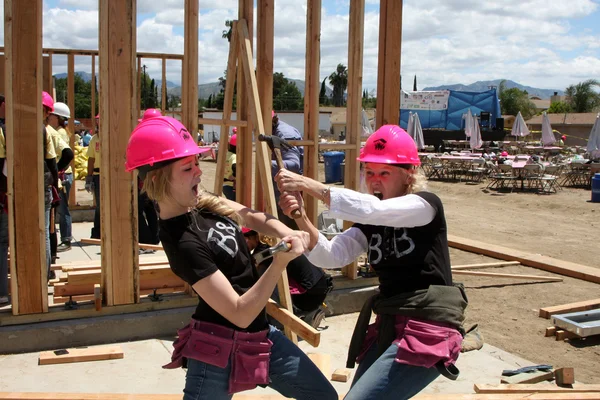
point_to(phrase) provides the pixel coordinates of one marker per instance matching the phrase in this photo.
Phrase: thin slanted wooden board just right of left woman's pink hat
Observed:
(227, 108)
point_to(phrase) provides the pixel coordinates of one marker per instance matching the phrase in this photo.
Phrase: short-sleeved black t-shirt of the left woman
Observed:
(198, 244)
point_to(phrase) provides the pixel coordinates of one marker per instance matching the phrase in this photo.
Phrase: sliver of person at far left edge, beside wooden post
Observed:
(3, 210)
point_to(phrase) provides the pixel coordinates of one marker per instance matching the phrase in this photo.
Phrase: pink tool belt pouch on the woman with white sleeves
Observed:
(425, 343)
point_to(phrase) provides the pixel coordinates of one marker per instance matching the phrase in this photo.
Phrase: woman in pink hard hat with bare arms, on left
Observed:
(228, 345)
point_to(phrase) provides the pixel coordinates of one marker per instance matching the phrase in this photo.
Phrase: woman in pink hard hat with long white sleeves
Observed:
(416, 336)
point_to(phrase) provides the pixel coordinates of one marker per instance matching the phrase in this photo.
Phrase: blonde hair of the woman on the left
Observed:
(157, 184)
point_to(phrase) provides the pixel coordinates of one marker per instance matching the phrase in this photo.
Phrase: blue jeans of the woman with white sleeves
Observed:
(383, 378)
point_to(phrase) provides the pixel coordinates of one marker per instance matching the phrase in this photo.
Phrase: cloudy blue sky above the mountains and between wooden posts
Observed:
(547, 44)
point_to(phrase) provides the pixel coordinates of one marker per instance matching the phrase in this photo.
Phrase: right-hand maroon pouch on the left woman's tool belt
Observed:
(250, 366)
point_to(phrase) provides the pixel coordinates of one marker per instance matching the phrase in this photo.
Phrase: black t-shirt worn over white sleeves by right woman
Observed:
(407, 259)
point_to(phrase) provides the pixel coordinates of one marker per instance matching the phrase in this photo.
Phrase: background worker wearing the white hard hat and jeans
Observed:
(58, 120)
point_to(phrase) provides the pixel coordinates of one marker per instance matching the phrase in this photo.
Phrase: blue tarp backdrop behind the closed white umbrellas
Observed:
(458, 104)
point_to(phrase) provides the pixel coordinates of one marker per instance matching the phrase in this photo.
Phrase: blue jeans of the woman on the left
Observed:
(291, 372)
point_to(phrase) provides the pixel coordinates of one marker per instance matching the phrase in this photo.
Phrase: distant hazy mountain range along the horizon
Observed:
(213, 88)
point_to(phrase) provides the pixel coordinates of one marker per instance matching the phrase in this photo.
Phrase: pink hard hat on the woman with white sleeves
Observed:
(390, 144)
